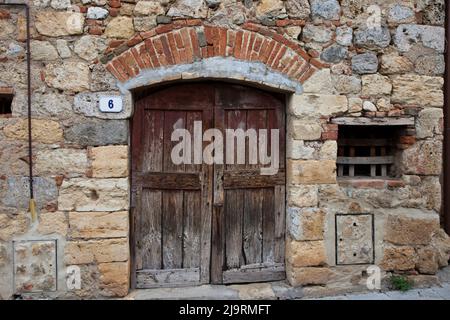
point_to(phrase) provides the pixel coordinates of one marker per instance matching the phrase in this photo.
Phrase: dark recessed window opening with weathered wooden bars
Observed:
(367, 151)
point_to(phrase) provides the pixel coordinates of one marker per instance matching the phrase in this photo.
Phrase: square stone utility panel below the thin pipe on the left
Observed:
(35, 266)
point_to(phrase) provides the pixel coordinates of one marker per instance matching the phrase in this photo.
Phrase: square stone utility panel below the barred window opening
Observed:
(354, 239)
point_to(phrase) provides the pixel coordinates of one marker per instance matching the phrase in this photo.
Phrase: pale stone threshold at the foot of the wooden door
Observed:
(251, 291)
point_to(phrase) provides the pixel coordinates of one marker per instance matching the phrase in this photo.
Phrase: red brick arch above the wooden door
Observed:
(189, 41)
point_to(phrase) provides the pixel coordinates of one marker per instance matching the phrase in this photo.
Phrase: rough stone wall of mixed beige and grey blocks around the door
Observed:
(338, 61)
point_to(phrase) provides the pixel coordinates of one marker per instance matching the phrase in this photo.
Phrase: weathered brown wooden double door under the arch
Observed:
(195, 223)
